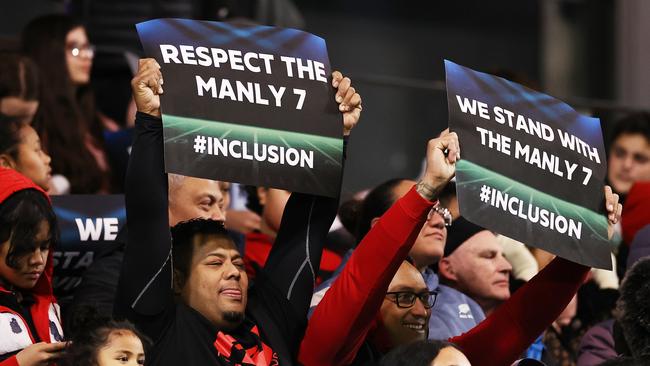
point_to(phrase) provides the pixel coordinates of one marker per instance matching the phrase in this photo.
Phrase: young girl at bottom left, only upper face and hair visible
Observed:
(100, 341)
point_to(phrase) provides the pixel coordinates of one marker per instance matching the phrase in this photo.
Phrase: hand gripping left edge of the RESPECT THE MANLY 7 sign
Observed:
(147, 87)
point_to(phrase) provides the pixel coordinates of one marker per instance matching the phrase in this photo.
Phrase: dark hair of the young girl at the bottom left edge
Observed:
(90, 331)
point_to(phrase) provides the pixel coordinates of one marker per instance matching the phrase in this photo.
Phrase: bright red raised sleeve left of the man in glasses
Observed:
(341, 321)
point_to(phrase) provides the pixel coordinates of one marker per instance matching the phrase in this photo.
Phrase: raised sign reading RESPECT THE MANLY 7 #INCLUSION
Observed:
(247, 103)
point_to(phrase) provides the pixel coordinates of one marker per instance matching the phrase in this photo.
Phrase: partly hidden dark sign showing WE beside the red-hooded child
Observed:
(87, 224)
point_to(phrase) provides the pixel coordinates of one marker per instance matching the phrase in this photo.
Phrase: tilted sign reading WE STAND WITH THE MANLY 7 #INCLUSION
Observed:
(532, 168)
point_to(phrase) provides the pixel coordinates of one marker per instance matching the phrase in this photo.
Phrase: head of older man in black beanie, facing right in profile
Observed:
(473, 264)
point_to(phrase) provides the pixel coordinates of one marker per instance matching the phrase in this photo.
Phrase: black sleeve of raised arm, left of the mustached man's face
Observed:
(144, 293)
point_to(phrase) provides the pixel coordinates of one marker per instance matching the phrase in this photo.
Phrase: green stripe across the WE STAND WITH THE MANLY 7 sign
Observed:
(477, 174)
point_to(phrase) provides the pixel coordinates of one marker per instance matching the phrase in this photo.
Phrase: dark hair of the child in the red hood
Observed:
(20, 217)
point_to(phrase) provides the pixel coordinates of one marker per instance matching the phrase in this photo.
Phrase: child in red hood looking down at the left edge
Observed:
(30, 323)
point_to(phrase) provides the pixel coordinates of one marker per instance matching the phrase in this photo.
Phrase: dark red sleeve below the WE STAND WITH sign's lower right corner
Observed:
(511, 328)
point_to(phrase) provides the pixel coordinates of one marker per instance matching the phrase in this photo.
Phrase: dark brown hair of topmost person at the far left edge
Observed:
(18, 77)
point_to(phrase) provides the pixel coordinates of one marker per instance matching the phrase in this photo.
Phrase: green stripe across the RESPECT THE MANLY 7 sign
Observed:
(330, 147)
